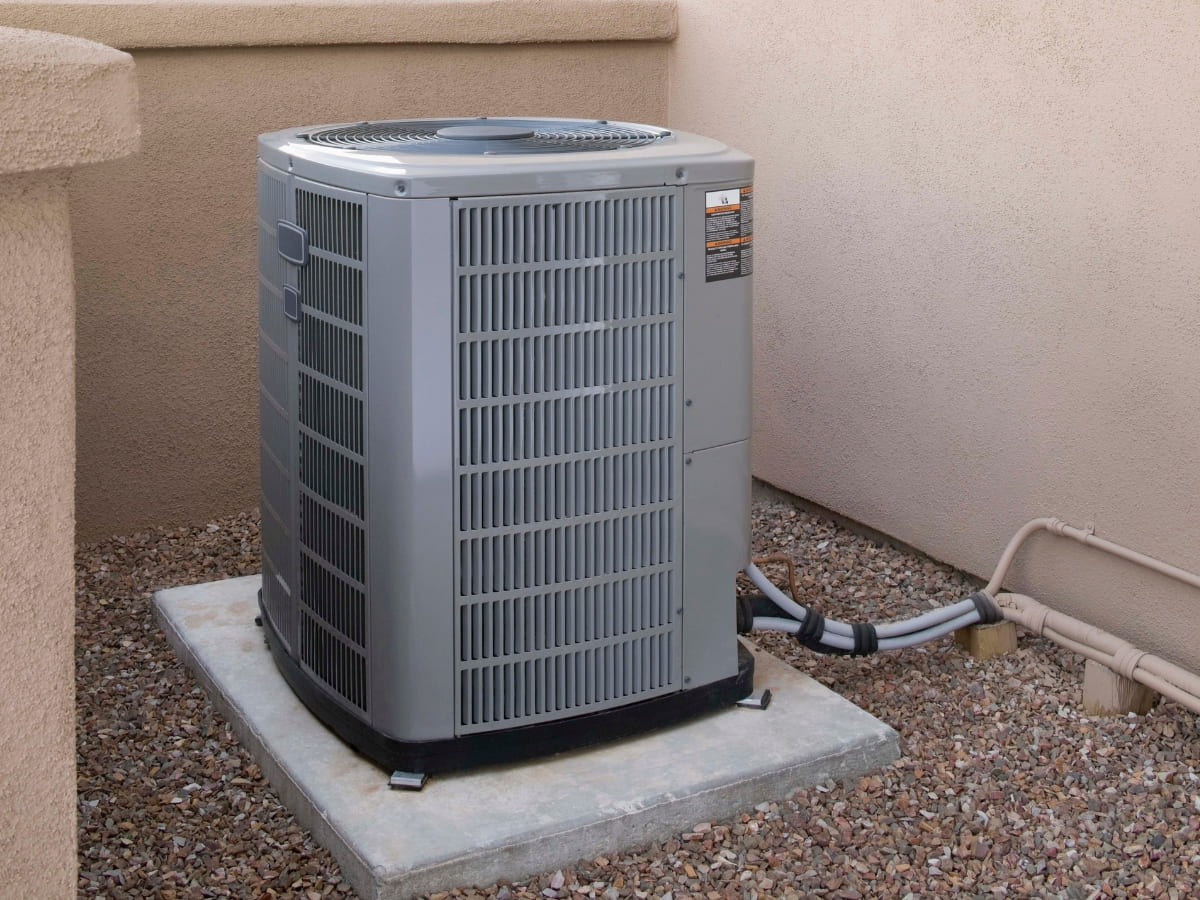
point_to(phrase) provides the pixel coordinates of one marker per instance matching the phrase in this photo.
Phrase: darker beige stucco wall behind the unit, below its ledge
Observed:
(166, 248)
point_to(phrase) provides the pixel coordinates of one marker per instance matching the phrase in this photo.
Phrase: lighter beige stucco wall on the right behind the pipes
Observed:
(979, 275)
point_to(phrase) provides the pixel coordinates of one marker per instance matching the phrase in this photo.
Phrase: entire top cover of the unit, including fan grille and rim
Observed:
(464, 158)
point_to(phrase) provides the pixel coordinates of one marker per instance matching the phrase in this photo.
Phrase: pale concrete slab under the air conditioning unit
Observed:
(511, 821)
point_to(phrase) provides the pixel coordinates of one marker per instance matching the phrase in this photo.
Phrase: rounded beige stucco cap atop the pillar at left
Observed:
(64, 103)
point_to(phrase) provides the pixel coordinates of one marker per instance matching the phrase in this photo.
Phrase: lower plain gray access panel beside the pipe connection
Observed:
(716, 548)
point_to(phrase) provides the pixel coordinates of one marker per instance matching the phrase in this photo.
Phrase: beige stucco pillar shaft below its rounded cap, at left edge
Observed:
(38, 831)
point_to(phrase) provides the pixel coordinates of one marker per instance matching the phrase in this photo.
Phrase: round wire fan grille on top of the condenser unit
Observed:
(520, 136)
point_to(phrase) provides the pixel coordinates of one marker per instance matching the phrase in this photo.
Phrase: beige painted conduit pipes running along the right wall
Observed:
(1087, 640)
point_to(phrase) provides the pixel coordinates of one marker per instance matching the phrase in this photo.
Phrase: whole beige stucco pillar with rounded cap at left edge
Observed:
(64, 103)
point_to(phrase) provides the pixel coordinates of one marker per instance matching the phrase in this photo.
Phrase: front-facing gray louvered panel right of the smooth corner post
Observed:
(567, 430)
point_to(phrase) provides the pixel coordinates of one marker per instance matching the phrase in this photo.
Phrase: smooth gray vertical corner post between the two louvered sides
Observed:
(410, 405)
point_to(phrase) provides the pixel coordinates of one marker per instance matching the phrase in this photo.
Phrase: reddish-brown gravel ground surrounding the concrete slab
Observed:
(1005, 787)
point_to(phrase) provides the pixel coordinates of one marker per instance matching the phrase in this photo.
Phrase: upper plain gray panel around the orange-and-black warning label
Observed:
(717, 341)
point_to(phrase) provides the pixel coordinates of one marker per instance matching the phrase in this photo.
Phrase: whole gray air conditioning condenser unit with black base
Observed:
(505, 373)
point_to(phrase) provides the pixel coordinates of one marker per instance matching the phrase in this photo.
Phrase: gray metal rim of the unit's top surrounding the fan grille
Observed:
(679, 160)
